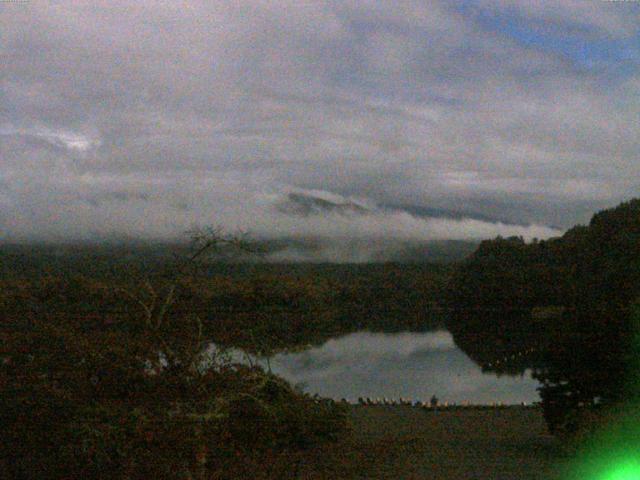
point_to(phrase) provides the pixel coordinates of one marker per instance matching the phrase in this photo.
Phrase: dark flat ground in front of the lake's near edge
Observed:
(403, 442)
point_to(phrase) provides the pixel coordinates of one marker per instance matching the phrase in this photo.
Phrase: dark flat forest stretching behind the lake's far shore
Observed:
(259, 307)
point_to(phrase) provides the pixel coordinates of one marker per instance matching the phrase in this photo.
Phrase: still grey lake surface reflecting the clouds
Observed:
(410, 365)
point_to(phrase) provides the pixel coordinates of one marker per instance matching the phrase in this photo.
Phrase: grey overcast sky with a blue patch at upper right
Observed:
(146, 117)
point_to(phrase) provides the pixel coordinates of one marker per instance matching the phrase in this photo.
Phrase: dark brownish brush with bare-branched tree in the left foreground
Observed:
(101, 380)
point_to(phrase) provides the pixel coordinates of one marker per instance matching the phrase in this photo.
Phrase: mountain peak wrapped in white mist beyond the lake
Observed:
(327, 227)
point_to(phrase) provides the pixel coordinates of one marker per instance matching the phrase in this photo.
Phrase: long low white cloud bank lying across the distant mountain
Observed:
(92, 209)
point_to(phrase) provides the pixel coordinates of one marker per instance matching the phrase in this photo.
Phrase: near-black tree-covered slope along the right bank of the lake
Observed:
(568, 302)
